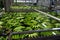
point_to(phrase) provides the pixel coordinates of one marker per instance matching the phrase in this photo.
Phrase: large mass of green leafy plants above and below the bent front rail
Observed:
(19, 22)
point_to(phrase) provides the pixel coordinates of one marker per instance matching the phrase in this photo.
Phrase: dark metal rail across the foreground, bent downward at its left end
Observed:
(32, 31)
